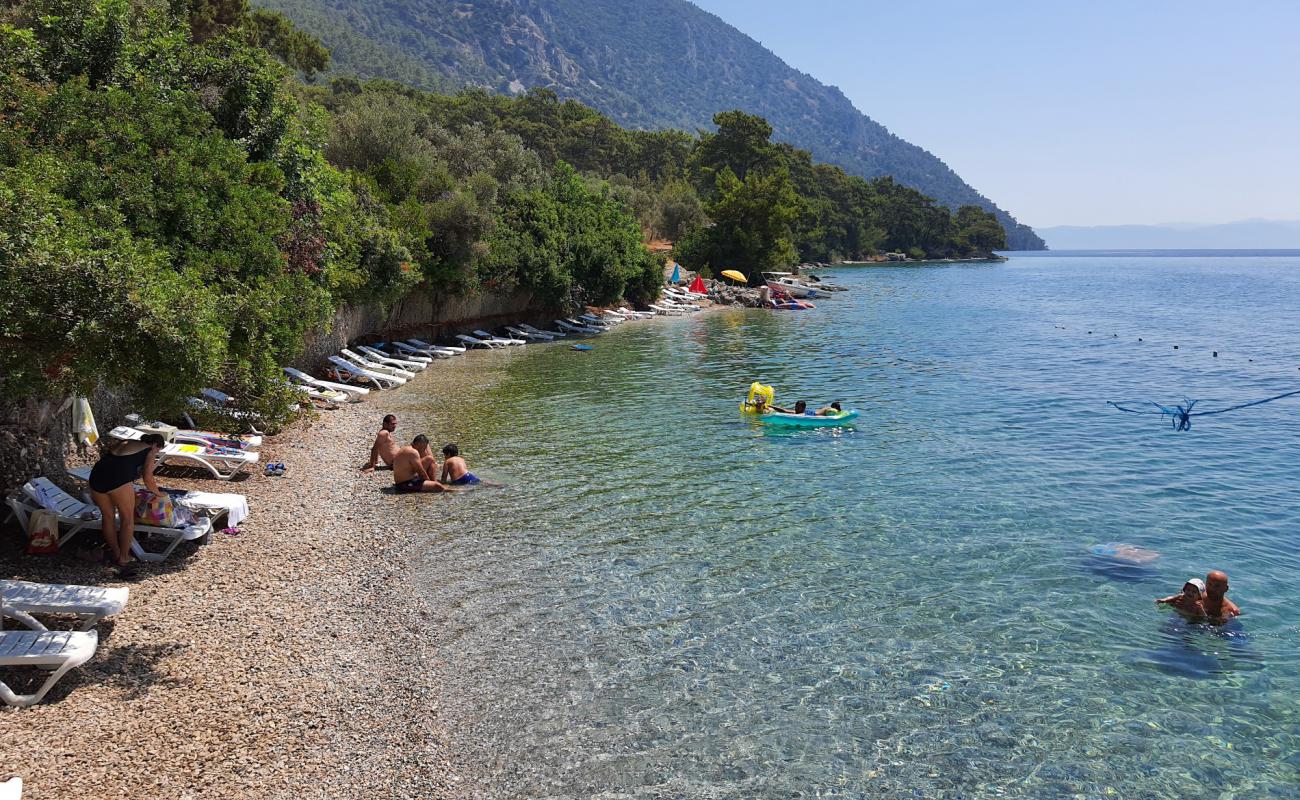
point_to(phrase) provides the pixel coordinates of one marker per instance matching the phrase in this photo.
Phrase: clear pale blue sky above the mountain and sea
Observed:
(1071, 114)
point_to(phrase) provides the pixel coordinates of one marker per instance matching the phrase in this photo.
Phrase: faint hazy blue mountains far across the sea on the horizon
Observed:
(1250, 235)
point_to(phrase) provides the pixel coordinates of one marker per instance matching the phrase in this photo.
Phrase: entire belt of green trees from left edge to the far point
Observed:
(180, 211)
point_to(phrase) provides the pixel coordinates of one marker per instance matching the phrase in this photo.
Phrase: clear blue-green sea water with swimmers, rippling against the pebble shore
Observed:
(671, 603)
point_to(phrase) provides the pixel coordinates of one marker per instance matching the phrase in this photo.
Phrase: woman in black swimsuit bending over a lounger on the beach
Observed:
(112, 487)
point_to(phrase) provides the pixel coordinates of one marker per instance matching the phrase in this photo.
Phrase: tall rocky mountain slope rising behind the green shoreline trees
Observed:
(644, 63)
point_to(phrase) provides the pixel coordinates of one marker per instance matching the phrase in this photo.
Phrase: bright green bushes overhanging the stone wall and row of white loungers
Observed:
(172, 220)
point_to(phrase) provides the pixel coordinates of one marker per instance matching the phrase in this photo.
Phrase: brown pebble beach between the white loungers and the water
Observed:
(284, 661)
